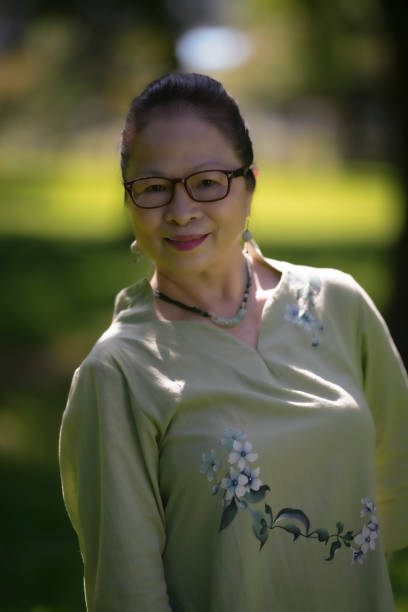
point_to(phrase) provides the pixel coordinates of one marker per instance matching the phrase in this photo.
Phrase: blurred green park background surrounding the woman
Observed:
(324, 90)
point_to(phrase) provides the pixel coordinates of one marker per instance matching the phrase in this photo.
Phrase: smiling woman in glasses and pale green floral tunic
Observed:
(228, 438)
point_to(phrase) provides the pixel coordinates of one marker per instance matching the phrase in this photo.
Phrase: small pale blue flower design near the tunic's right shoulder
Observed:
(303, 312)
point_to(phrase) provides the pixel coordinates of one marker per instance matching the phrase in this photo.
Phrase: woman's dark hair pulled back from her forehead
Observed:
(201, 93)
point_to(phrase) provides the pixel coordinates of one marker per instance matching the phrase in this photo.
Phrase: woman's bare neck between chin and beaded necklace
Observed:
(217, 288)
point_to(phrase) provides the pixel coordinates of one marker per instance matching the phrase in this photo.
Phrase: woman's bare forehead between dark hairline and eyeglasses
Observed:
(180, 143)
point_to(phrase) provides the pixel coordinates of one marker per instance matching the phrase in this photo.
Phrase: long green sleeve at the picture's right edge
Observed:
(386, 390)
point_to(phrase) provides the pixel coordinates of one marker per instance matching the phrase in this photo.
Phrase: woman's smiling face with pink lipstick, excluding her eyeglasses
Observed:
(174, 147)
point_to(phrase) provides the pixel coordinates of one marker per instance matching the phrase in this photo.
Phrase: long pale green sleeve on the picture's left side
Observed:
(109, 471)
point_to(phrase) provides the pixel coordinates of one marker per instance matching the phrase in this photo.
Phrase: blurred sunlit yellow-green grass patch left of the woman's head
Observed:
(65, 196)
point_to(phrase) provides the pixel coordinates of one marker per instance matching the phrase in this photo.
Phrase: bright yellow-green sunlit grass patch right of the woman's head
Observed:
(326, 206)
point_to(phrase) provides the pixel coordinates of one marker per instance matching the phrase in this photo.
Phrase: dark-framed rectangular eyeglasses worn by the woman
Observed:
(204, 186)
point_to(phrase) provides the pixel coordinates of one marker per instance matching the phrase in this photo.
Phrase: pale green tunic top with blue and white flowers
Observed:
(202, 475)
